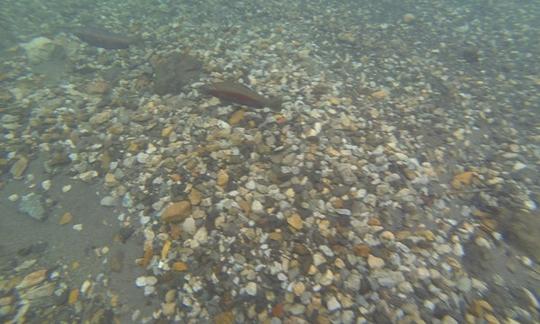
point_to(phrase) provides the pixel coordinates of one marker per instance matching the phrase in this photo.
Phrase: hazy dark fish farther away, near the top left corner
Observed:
(99, 37)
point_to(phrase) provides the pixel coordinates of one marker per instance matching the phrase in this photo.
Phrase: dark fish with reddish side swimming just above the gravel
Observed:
(240, 94)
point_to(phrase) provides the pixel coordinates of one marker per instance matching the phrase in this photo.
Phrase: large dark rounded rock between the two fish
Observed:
(175, 72)
